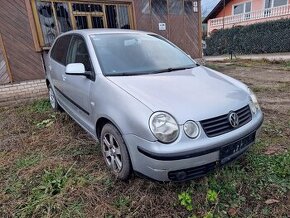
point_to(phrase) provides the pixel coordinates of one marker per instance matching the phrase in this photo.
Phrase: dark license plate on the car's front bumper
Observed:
(227, 152)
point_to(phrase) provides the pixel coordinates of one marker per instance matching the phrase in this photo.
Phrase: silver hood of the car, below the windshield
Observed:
(194, 94)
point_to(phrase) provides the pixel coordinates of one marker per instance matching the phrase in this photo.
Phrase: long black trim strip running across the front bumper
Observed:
(165, 157)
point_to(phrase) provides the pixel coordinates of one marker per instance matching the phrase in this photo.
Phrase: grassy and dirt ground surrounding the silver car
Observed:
(50, 167)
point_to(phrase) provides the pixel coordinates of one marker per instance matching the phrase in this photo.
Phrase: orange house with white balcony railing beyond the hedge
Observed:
(230, 13)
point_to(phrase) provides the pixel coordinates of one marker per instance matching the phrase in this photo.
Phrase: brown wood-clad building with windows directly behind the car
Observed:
(29, 27)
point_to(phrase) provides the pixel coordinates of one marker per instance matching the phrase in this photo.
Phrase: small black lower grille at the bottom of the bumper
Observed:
(191, 173)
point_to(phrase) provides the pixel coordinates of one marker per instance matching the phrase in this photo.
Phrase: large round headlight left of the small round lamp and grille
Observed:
(164, 127)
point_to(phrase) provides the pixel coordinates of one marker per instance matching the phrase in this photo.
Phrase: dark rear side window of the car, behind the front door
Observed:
(59, 50)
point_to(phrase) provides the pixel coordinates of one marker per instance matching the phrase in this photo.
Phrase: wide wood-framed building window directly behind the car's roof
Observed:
(53, 17)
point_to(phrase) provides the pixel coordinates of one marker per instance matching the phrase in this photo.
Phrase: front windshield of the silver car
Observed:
(136, 54)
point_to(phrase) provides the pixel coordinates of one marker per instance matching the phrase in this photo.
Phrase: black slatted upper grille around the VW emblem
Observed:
(220, 125)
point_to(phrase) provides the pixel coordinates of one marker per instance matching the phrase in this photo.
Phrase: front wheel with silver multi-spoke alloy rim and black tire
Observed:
(115, 152)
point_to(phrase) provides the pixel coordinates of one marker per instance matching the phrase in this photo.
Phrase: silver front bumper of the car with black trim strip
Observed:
(186, 158)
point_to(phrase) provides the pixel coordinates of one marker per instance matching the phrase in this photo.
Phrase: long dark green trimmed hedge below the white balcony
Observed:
(267, 37)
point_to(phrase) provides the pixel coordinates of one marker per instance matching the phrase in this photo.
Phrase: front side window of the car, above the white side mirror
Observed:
(78, 53)
